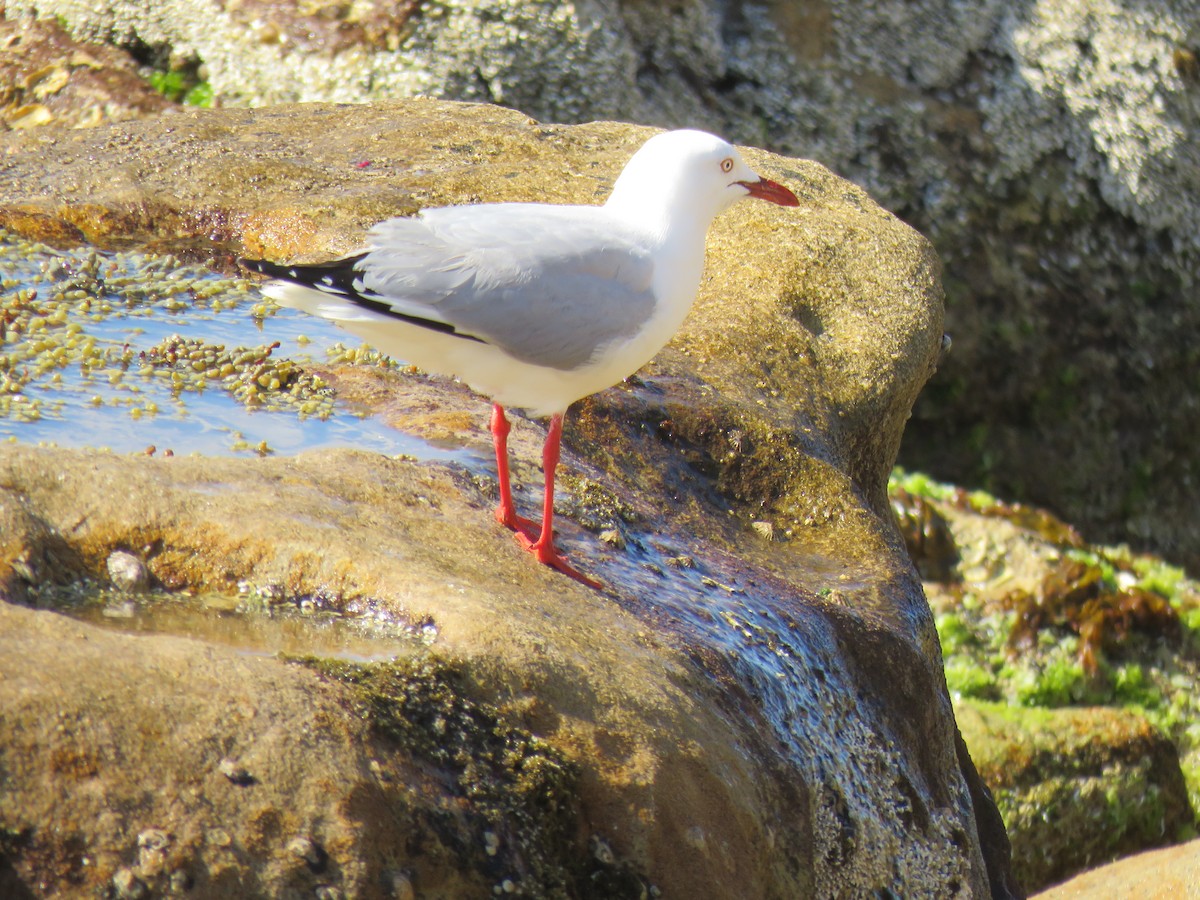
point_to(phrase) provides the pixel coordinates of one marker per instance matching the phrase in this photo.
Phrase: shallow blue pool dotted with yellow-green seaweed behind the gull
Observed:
(81, 363)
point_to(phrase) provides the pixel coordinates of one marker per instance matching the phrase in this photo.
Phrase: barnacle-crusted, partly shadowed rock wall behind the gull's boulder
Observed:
(1047, 148)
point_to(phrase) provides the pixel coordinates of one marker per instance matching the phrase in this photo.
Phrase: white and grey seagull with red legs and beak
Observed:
(537, 305)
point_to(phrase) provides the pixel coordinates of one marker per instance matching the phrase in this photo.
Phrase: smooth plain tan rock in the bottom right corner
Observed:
(1165, 874)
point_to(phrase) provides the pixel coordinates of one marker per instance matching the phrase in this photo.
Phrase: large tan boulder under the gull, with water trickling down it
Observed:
(735, 716)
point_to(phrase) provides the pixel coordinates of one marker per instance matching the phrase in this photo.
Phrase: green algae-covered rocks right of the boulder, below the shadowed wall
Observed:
(1076, 673)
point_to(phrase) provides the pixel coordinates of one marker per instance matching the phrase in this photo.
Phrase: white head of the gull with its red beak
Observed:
(691, 173)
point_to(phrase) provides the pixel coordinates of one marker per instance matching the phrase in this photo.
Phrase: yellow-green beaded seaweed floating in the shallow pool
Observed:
(50, 340)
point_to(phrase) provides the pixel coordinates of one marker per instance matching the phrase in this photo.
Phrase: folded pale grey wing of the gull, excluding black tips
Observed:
(549, 285)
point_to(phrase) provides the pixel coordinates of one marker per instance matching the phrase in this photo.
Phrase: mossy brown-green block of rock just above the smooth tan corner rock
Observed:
(1077, 788)
